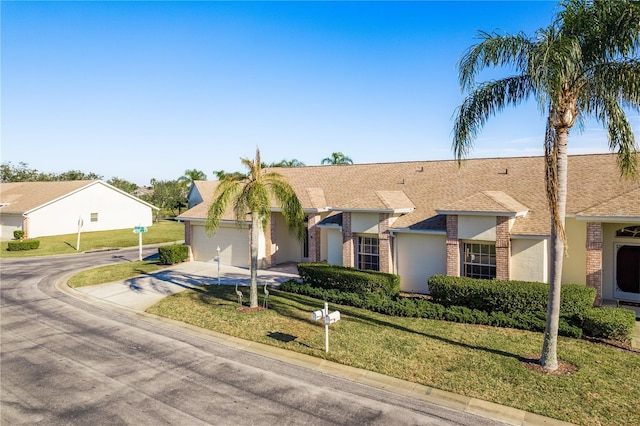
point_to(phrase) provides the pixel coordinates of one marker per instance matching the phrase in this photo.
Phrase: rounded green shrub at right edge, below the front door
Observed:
(609, 323)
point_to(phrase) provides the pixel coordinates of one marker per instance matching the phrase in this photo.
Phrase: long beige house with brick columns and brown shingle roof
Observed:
(486, 218)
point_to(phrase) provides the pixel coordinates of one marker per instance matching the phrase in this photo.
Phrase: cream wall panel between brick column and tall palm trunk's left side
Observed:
(529, 260)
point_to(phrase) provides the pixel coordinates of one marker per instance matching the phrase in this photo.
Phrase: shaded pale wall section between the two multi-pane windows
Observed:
(419, 256)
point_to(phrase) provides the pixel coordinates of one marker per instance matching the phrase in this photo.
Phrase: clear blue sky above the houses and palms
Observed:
(141, 90)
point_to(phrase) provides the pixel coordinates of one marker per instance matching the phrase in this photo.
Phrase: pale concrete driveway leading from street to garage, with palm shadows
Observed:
(142, 292)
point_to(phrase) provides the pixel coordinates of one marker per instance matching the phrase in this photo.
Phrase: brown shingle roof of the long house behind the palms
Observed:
(428, 185)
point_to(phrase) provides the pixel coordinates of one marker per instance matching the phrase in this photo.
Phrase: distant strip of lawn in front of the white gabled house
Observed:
(160, 232)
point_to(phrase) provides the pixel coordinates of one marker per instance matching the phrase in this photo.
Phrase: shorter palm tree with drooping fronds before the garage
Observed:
(252, 193)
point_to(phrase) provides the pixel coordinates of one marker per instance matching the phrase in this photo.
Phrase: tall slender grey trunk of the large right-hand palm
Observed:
(549, 356)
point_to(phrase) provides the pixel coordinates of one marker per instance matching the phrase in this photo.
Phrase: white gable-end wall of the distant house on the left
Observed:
(115, 210)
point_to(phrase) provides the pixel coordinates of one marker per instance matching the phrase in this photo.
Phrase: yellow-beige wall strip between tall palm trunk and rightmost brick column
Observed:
(574, 264)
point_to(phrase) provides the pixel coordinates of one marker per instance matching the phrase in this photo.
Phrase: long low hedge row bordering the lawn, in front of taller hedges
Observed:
(421, 308)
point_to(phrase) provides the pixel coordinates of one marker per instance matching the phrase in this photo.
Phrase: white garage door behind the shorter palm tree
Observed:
(233, 243)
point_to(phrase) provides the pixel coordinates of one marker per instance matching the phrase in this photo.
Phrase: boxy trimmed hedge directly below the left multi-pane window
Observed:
(351, 280)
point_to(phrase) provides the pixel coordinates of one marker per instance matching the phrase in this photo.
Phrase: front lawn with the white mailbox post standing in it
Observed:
(477, 361)
